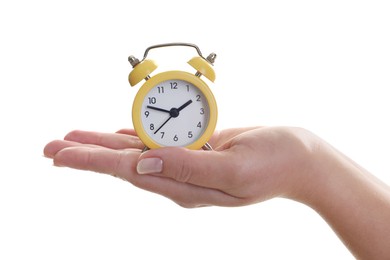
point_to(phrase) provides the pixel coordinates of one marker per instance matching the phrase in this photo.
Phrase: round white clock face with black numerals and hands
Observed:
(174, 113)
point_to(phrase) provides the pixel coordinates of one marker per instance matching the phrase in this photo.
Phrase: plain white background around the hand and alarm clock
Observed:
(321, 65)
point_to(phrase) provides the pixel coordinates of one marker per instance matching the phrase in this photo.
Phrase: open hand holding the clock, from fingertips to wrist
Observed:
(248, 165)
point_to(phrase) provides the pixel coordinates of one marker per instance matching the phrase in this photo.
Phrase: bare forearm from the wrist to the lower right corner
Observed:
(354, 203)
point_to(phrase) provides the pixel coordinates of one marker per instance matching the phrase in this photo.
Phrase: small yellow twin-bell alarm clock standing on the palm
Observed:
(174, 108)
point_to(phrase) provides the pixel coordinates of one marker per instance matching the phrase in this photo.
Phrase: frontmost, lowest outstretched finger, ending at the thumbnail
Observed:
(115, 162)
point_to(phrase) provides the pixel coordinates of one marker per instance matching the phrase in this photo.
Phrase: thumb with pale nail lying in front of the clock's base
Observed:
(211, 169)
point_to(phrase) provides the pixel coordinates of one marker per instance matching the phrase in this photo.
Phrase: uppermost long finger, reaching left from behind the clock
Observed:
(109, 140)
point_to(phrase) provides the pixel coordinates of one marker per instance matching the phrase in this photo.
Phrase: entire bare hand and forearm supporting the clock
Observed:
(247, 166)
